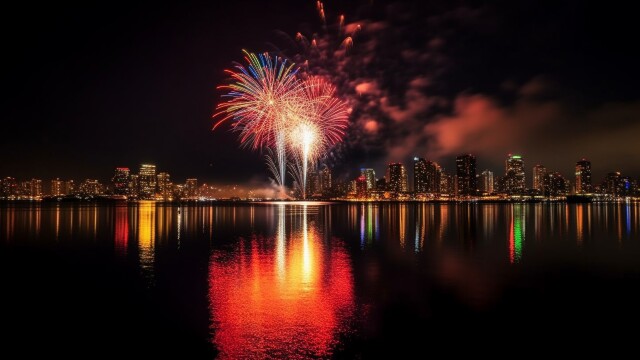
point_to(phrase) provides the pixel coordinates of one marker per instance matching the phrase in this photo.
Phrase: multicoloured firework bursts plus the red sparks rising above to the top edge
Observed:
(286, 110)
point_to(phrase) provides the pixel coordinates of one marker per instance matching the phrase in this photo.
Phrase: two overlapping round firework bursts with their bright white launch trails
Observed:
(272, 107)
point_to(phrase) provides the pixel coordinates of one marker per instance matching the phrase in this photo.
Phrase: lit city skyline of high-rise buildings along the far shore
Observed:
(466, 180)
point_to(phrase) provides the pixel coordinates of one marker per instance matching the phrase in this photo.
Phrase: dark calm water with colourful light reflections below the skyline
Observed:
(317, 280)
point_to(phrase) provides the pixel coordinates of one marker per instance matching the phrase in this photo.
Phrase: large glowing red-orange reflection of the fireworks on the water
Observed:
(289, 303)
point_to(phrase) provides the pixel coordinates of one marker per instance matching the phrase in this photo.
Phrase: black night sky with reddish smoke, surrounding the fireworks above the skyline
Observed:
(91, 87)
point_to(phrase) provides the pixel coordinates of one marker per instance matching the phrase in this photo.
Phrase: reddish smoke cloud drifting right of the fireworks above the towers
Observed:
(437, 81)
